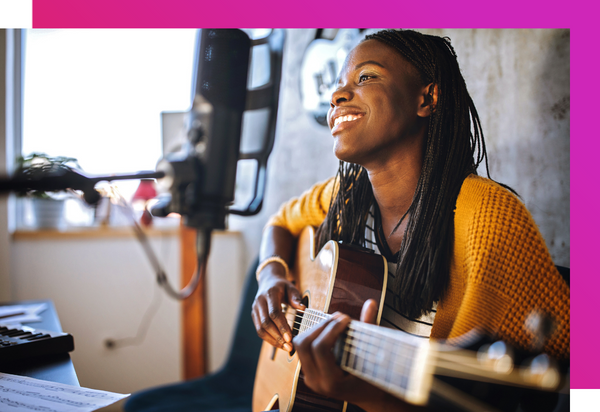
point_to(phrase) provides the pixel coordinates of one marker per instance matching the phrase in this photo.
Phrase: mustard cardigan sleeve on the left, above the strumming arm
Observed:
(309, 209)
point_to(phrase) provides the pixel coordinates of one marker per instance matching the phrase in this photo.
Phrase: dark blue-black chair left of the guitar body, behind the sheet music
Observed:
(227, 390)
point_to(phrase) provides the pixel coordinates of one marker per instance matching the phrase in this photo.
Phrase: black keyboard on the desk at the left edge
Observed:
(18, 343)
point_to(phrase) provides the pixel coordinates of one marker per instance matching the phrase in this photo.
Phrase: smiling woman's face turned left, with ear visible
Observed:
(379, 105)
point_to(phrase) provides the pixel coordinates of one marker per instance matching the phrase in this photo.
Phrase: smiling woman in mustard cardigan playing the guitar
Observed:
(464, 251)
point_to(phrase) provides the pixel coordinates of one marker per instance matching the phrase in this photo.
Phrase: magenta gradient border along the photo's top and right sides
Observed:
(575, 15)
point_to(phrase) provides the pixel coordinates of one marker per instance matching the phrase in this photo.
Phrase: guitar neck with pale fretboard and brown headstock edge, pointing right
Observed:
(404, 365)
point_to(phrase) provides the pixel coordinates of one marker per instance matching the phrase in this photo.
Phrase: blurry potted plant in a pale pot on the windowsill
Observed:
(47, 207)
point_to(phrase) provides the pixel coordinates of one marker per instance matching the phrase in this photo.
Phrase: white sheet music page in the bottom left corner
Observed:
(20, 393)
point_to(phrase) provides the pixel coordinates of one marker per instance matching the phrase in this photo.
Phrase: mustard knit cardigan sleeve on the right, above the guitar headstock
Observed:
(510, 274)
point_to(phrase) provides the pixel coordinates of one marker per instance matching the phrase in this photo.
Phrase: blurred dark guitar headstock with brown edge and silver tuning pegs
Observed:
(485, 371)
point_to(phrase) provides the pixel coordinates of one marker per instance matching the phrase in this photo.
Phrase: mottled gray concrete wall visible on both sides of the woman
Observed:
(519, 80)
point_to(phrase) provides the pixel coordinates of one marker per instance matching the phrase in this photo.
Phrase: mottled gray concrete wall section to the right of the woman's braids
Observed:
(519, 80)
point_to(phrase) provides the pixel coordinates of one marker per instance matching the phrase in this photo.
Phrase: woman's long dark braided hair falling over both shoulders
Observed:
(453, 150)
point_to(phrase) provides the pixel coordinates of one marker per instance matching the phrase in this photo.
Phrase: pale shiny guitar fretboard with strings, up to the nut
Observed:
(391, 360)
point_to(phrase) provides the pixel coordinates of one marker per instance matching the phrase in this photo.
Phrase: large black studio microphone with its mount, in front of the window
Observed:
(201, 177)
